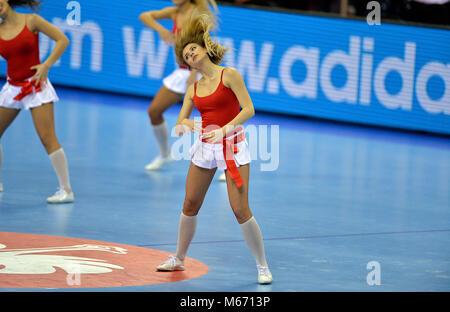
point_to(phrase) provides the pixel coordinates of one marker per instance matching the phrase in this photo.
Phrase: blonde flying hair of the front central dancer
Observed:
(196, 30)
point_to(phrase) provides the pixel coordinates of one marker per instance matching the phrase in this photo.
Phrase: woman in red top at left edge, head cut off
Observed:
(27, 85)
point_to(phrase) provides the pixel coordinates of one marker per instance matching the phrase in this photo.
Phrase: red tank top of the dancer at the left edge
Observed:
(21, 53)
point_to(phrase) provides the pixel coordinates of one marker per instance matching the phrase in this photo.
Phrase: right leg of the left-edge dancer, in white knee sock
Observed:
(45, 126)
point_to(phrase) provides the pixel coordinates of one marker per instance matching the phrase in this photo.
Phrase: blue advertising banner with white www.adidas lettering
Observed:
(340, 69)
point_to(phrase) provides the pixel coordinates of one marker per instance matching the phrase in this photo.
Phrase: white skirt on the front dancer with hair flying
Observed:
(209, 156)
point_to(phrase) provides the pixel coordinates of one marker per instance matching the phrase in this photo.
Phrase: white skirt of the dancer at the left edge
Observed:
(35, 99)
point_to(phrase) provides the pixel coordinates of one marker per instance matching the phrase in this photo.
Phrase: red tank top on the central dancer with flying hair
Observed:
(218, 108)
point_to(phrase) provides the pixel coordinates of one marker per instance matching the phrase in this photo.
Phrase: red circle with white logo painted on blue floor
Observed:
(43, 261)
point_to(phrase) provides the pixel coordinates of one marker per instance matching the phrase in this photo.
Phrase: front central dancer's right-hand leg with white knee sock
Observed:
(252, 234)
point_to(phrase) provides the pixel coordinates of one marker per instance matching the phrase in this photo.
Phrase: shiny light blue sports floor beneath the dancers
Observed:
(342, 196)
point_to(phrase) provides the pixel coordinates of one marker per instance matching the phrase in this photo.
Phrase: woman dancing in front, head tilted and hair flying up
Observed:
(218, 96)
